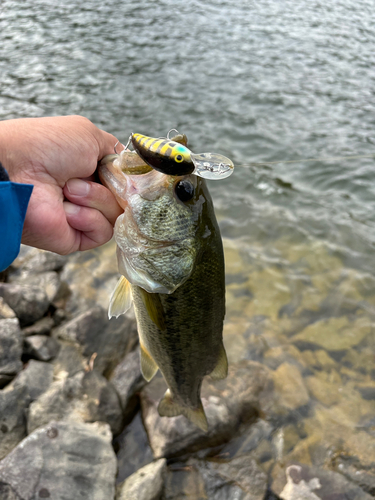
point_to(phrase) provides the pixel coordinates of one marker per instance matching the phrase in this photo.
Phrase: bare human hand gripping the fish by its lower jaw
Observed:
(59, 156)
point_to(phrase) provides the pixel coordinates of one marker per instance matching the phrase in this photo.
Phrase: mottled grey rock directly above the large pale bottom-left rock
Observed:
(86, 397)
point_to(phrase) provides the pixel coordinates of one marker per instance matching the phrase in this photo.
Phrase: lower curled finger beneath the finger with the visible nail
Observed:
(93, 228)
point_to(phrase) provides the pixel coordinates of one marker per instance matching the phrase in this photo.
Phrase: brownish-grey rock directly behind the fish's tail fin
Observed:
(227, 403)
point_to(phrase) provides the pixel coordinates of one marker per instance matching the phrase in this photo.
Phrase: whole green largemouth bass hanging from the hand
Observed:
(170, 257)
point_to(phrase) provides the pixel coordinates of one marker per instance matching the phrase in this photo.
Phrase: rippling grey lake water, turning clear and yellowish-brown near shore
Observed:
(258, 82)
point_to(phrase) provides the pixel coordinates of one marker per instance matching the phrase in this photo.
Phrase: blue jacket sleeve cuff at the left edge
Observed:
(14, 199)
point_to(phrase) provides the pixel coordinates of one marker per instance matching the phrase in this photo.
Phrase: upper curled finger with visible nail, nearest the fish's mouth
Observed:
(93, 195)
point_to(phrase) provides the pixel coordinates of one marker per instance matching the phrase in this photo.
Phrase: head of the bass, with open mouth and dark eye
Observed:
(161, 232)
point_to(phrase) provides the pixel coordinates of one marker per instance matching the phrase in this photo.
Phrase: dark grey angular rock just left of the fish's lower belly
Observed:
(94, 333)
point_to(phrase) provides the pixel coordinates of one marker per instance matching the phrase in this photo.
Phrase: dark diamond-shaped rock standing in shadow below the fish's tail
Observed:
(133, 449)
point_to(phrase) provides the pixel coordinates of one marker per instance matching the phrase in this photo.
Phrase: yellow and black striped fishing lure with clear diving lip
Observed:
(173, 158)
